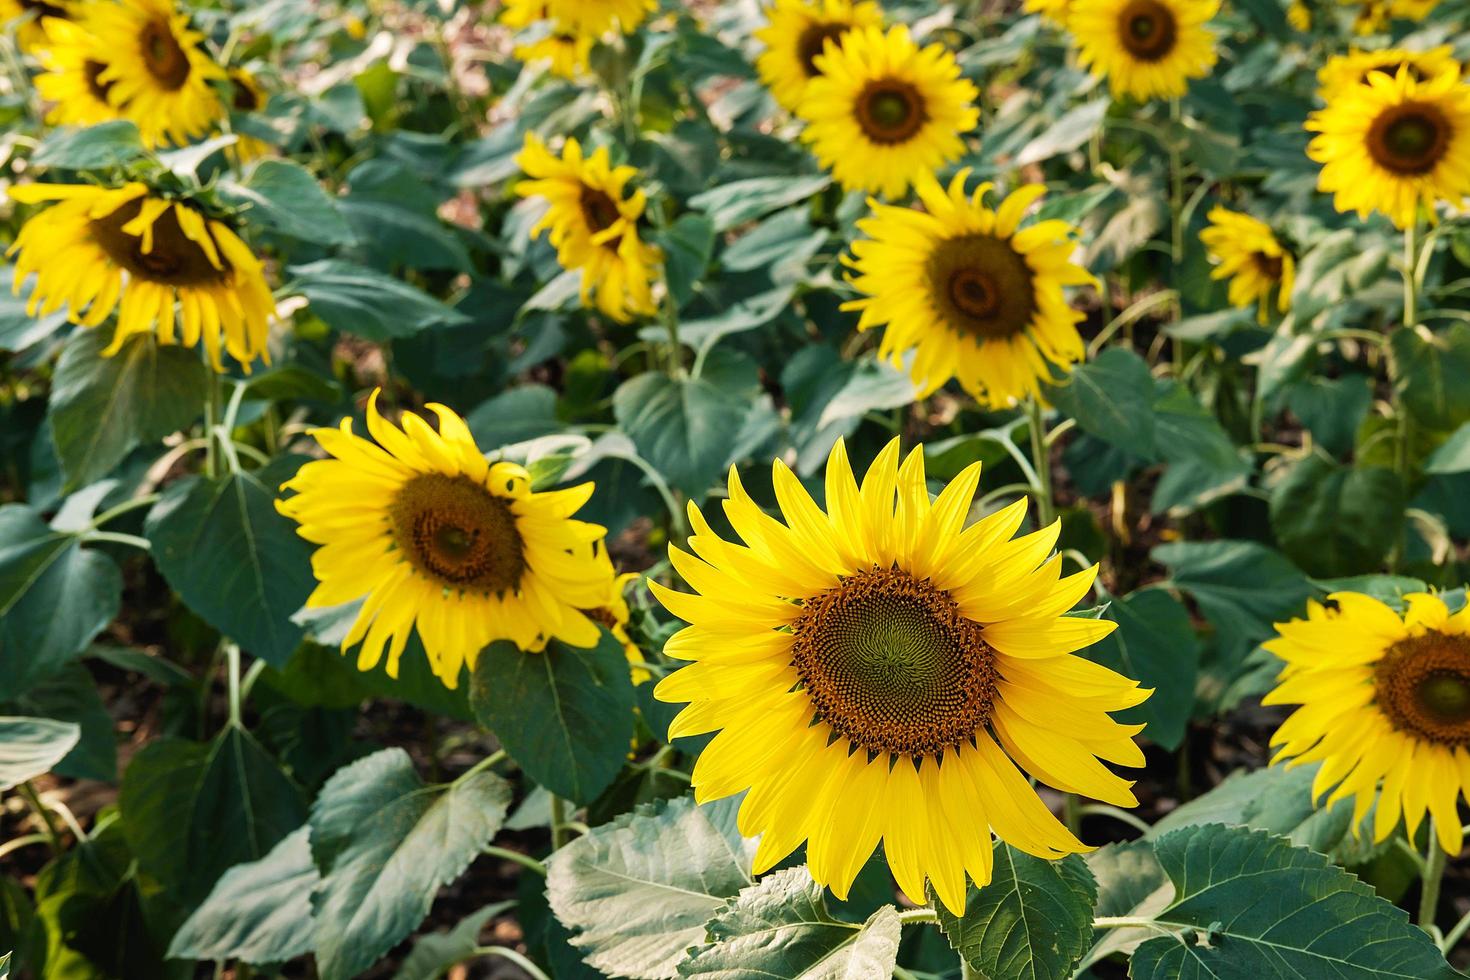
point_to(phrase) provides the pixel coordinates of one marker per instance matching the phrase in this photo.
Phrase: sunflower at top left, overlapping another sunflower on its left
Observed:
(157, 73)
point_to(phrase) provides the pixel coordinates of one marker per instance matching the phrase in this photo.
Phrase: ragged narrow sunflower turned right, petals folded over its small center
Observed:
(593, 224)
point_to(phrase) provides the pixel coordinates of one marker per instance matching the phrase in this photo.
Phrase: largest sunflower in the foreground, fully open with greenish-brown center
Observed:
(880, 672)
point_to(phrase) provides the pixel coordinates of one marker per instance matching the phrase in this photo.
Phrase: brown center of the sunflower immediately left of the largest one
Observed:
(458, 534)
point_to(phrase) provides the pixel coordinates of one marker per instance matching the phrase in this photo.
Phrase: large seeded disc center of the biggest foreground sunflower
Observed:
(893, 666)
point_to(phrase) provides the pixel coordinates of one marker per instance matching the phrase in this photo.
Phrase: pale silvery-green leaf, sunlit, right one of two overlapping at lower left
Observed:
(386, 844)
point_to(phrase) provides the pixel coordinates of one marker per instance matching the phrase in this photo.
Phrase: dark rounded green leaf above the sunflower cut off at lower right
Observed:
(1335, 519)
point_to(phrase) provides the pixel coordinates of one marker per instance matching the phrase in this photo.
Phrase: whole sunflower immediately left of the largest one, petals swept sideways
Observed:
(437, 538)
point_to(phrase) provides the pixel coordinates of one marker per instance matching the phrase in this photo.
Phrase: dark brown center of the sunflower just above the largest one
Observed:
(983, 287)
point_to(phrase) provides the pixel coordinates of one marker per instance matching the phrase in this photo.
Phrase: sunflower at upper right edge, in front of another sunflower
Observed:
(1393, 145)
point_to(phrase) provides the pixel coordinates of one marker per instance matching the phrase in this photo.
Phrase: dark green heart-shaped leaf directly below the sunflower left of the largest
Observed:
(565, 715)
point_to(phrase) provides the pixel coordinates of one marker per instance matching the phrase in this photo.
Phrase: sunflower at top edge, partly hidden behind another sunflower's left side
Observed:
(796, 33)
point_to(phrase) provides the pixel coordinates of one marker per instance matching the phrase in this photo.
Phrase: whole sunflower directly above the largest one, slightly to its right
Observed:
(969, 292)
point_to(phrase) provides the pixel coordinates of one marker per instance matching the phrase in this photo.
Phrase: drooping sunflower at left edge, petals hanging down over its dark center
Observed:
(162, 264)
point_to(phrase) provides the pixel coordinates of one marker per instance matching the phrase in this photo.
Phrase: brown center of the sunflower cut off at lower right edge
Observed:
(1424, 687)
